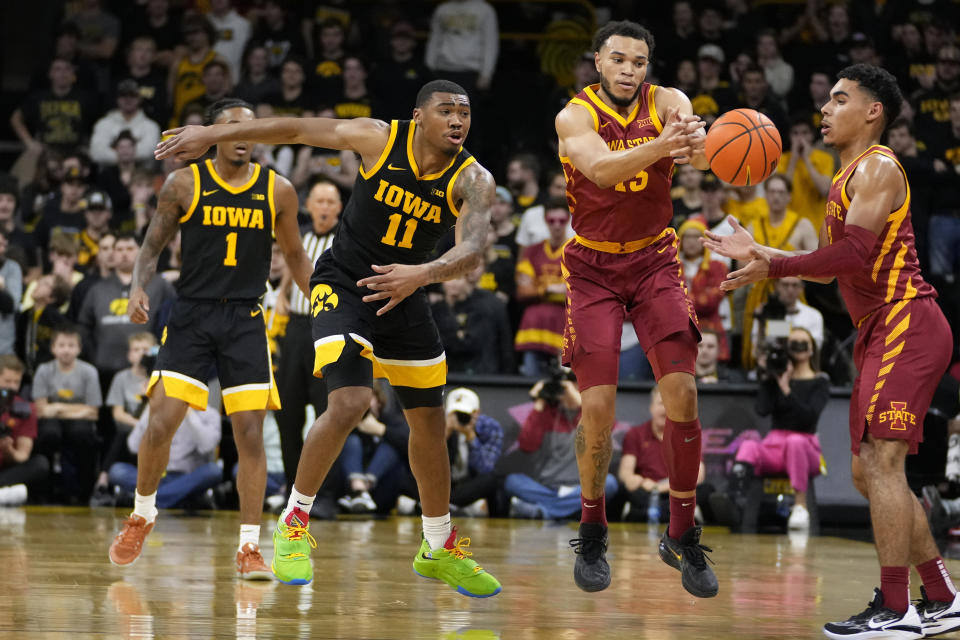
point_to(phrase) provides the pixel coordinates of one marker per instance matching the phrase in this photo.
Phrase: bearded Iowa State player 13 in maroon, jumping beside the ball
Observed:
(619, 141)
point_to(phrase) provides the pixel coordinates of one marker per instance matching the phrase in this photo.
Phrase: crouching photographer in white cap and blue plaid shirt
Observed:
(474, 442)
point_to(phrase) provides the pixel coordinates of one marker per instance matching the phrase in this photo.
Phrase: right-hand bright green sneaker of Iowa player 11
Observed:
(451, 564)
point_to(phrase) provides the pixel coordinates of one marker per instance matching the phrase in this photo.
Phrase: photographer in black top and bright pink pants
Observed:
(793, 393)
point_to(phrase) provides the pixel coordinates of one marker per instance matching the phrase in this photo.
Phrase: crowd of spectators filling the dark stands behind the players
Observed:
(75, 204)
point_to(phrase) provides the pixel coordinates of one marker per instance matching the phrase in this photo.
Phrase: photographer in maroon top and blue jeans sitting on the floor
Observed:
(553, 488)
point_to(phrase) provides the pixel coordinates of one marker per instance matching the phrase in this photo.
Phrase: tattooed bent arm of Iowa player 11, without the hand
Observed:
(476, 189)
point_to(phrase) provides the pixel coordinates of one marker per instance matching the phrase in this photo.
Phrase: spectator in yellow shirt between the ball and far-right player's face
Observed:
(809, 170)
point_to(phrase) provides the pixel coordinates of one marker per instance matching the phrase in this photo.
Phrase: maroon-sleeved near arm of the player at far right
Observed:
(876, 189)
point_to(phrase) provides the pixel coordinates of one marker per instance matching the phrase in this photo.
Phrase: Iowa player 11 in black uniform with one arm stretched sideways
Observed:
(371, 316)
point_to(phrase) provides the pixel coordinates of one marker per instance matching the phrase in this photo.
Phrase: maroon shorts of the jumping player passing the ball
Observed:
(604, 288)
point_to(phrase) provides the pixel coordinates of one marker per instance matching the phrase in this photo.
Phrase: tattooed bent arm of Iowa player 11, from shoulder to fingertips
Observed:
(476, 189)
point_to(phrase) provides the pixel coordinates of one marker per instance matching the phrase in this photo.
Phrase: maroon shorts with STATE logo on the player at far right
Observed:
(903, 349)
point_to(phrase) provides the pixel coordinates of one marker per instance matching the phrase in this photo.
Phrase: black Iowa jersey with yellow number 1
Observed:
(226, 236)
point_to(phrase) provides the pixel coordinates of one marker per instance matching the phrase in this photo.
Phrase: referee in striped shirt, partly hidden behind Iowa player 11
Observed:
(295, 379)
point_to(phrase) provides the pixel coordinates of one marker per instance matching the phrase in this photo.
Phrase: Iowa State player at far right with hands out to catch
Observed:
(903, 345)
